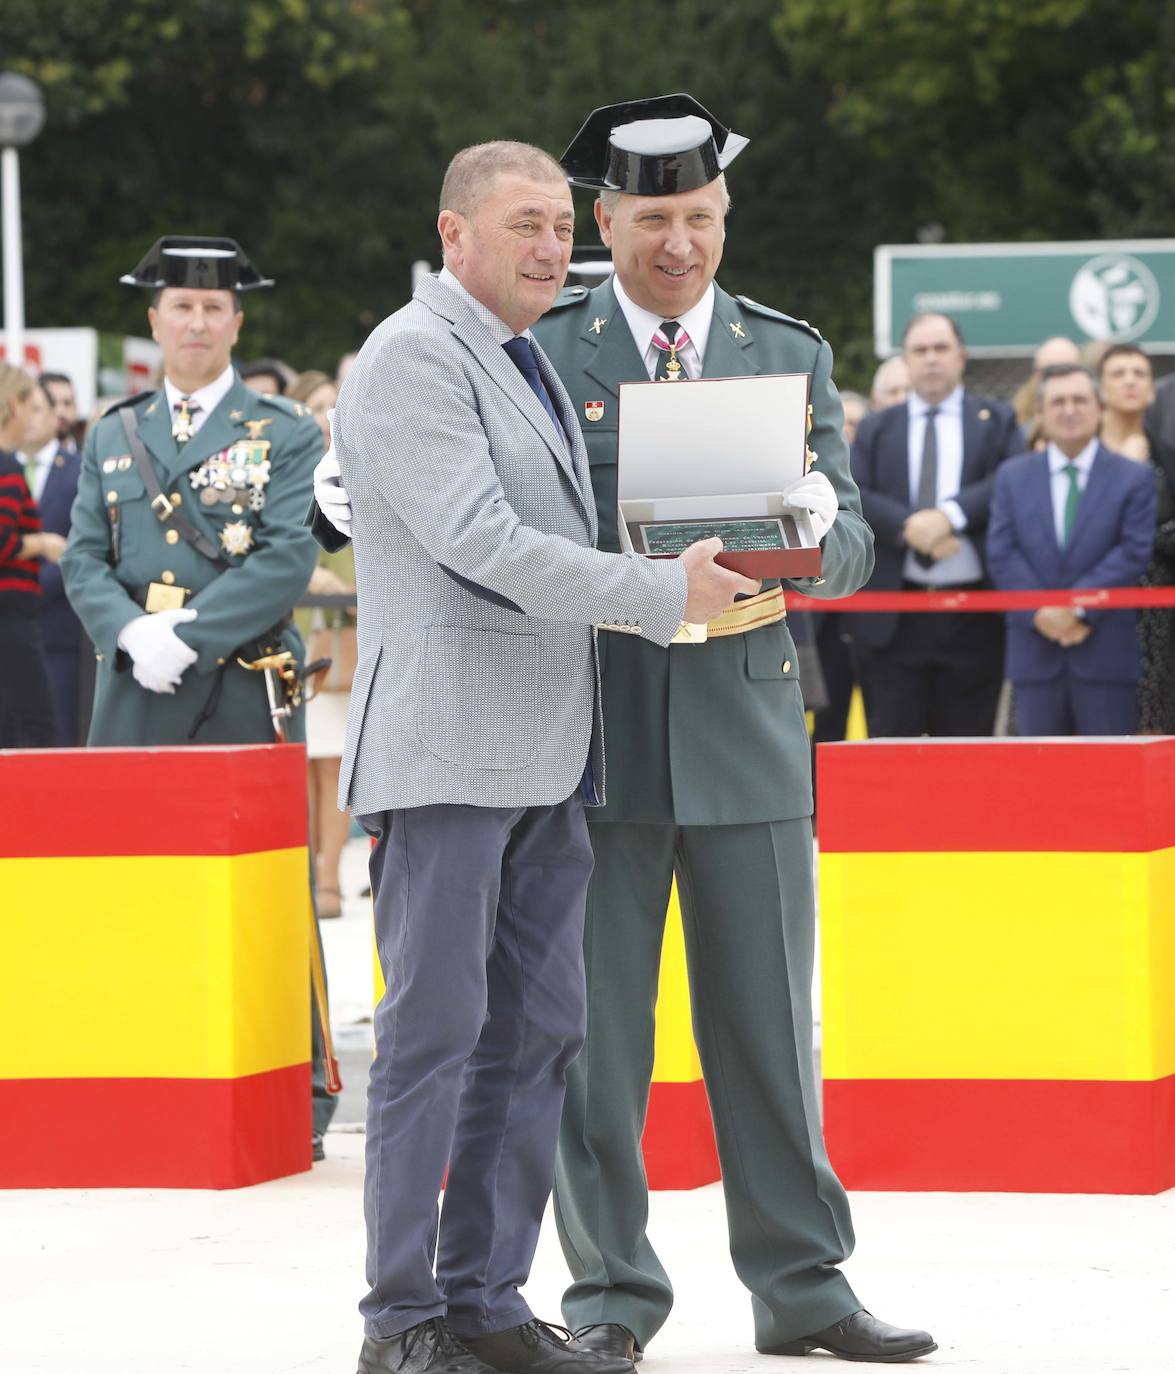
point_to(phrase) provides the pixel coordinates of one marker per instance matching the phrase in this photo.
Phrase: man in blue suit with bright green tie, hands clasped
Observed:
(1075, 516)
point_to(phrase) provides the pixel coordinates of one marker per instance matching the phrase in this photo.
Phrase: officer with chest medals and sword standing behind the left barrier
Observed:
(188, 552)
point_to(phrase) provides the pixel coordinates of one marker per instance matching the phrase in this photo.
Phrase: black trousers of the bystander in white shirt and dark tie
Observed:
(941, 675)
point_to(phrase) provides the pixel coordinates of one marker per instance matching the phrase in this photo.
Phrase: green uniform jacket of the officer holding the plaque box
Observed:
(706, 734)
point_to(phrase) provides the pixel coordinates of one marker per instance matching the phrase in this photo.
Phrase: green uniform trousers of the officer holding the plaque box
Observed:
(747, 906)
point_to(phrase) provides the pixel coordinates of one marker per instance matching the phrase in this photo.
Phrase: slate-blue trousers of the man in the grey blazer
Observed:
(479, 928)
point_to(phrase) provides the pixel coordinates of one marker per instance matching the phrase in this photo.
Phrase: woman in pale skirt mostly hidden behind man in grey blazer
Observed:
(331, 634)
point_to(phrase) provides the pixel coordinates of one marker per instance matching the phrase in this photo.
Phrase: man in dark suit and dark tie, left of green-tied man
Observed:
(926, 471)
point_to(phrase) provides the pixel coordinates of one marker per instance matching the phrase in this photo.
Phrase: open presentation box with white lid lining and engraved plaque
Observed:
(714, 457)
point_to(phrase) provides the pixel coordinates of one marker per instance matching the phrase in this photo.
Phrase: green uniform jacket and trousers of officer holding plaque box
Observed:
(708, 776)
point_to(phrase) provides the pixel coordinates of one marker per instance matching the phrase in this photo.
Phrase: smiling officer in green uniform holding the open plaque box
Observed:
(708, 778)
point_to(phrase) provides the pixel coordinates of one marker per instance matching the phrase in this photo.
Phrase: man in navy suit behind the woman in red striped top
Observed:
(53, 469)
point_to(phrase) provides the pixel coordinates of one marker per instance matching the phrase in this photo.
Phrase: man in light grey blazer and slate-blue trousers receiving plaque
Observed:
(473, 744)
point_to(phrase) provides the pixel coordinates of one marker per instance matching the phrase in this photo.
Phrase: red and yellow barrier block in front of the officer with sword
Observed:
(155, 982)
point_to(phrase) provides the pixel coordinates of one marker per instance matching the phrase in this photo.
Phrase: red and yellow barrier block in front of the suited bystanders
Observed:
(998, 949)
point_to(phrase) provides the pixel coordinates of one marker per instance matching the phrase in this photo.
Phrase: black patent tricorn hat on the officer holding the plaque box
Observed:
(660, 146)
